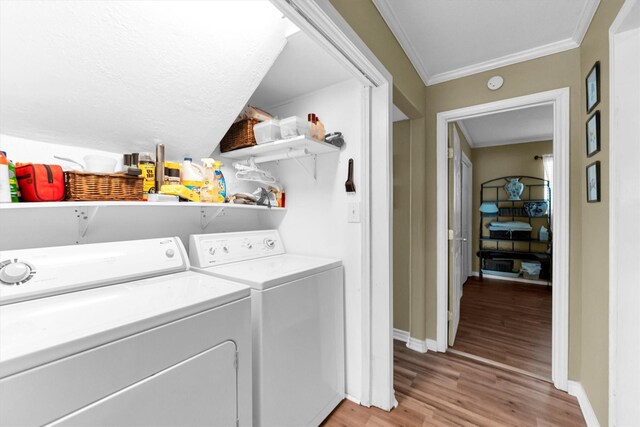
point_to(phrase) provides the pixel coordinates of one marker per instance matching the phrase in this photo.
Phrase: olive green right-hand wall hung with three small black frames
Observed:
(594, 372)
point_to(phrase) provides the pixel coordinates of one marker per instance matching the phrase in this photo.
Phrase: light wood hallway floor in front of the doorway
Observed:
(443, 389)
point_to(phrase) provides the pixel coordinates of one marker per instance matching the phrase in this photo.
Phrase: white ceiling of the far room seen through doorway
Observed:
(511, 127)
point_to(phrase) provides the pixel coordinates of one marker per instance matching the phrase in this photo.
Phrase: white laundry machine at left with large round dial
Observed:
(121, 334)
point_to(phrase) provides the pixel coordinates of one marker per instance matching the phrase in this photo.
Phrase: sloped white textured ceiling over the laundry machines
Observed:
(121, 76)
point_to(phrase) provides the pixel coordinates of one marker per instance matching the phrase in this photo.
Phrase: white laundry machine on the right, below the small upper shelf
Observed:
(298, 323)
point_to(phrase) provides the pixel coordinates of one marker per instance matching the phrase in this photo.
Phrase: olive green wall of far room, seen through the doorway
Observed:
(504, 160)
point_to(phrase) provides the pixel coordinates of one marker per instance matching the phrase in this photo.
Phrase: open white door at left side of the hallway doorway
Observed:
(455, 245)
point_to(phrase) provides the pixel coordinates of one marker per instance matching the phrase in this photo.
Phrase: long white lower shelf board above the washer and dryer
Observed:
(142, 205)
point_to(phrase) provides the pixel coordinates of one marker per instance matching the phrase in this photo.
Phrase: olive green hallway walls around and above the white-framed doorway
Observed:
(588, 224)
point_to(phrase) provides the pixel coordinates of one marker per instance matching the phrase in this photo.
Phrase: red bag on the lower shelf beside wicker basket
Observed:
(40, 183)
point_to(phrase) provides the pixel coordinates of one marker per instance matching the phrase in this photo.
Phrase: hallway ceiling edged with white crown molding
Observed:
(447, 39)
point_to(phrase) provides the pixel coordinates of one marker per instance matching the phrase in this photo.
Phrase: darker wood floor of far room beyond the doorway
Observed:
(507, 322)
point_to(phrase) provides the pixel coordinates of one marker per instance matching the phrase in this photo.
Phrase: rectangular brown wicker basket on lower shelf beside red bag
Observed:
(88, 186)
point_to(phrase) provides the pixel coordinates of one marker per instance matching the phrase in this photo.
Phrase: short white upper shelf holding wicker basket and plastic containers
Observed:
(280, 149)
